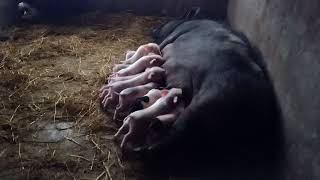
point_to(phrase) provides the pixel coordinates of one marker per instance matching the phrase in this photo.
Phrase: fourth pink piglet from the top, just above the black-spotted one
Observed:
(128, 96)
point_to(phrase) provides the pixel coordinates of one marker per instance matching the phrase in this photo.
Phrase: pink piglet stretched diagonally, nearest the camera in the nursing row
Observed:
(135, 125)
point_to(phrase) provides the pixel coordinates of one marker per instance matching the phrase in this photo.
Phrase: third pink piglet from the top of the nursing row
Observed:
(155, 74)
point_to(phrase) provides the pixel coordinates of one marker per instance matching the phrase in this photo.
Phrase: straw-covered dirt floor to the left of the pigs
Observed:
(51, 124)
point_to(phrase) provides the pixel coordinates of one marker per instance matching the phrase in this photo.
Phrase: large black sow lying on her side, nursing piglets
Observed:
(230, 102)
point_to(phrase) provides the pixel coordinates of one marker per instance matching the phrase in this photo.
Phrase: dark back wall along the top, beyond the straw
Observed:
(58, 9)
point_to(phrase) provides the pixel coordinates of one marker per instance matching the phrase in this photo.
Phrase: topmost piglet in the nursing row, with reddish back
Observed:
(143, 51)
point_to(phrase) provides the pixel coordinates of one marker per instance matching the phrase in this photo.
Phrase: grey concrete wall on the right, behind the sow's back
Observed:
(288, 33)
